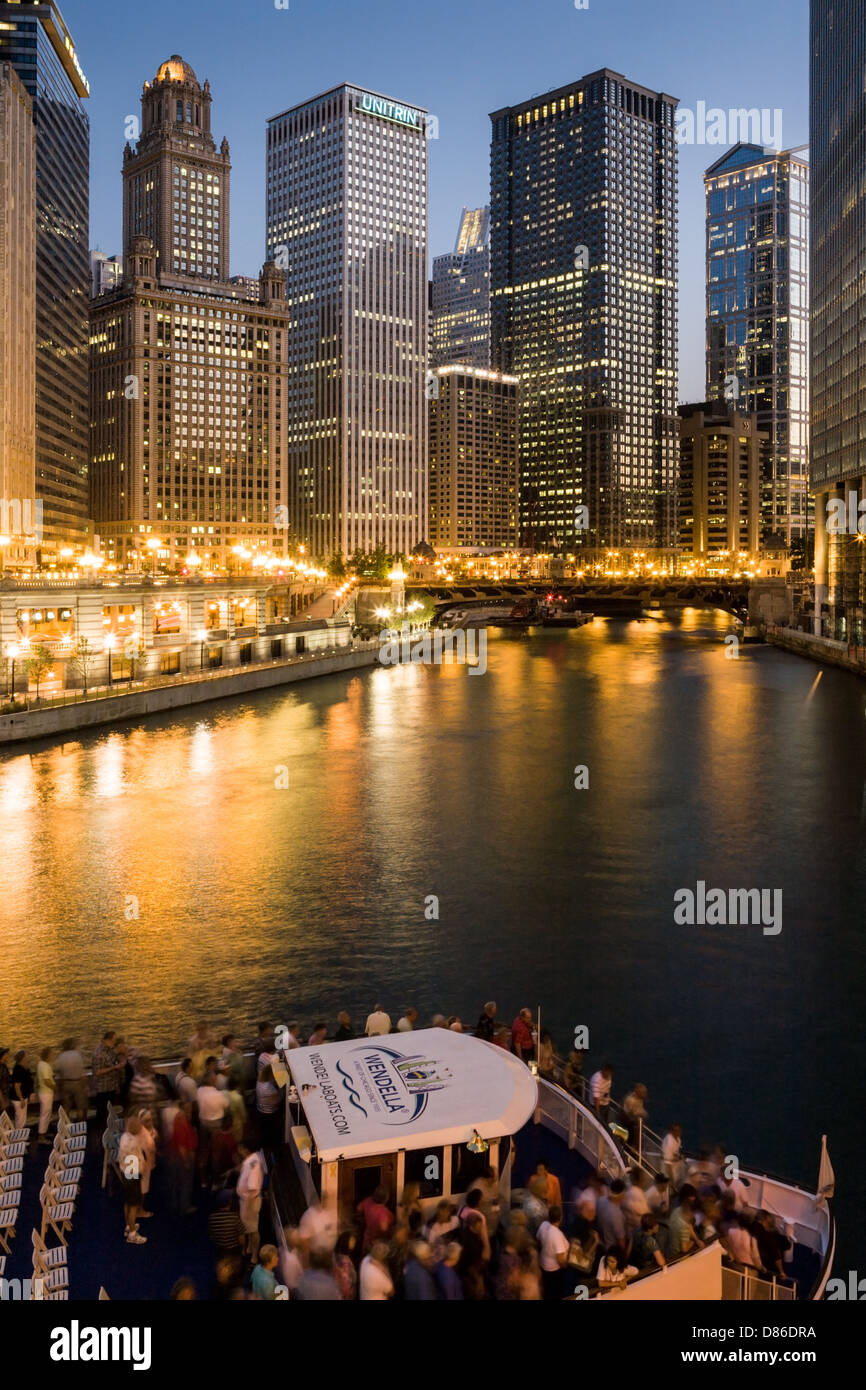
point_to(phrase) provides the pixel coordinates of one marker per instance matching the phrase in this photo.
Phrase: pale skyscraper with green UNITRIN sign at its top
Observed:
(347, 218)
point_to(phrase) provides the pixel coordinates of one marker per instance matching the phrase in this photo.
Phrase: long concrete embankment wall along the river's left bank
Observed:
(191, 690)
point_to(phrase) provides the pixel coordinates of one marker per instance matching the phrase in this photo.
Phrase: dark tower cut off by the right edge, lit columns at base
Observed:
(838, 149)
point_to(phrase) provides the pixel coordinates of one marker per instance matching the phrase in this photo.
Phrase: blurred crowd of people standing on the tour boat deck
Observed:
(212, 1121)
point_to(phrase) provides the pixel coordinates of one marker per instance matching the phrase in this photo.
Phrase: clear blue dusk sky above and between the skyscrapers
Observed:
(461, 60)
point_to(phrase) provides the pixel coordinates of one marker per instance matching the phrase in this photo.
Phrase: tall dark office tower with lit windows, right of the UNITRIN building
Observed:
(585, 309)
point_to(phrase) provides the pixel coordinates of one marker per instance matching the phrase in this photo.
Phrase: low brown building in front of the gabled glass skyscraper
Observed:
(724, 452)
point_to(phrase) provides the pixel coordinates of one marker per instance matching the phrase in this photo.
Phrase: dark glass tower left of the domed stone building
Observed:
(35, 41)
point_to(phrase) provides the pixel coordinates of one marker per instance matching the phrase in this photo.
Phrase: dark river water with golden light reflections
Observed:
(415, 836)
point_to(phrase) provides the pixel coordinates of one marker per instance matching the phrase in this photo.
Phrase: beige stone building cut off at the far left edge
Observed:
(17, 320)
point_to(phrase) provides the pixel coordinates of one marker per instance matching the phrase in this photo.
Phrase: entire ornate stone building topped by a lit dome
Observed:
(190, 416)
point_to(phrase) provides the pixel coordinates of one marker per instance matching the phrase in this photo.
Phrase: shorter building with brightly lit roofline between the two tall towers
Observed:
(473, 459)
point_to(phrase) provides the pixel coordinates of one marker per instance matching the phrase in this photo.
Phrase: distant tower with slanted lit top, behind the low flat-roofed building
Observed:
(461, 319)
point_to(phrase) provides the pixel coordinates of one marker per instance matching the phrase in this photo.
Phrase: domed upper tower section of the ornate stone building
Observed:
(177, 181)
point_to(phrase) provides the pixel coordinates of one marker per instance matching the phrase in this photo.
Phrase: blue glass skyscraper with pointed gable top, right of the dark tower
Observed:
(758, 315)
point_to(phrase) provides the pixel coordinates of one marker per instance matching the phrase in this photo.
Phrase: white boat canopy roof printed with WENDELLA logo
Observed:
(409, 1090)
